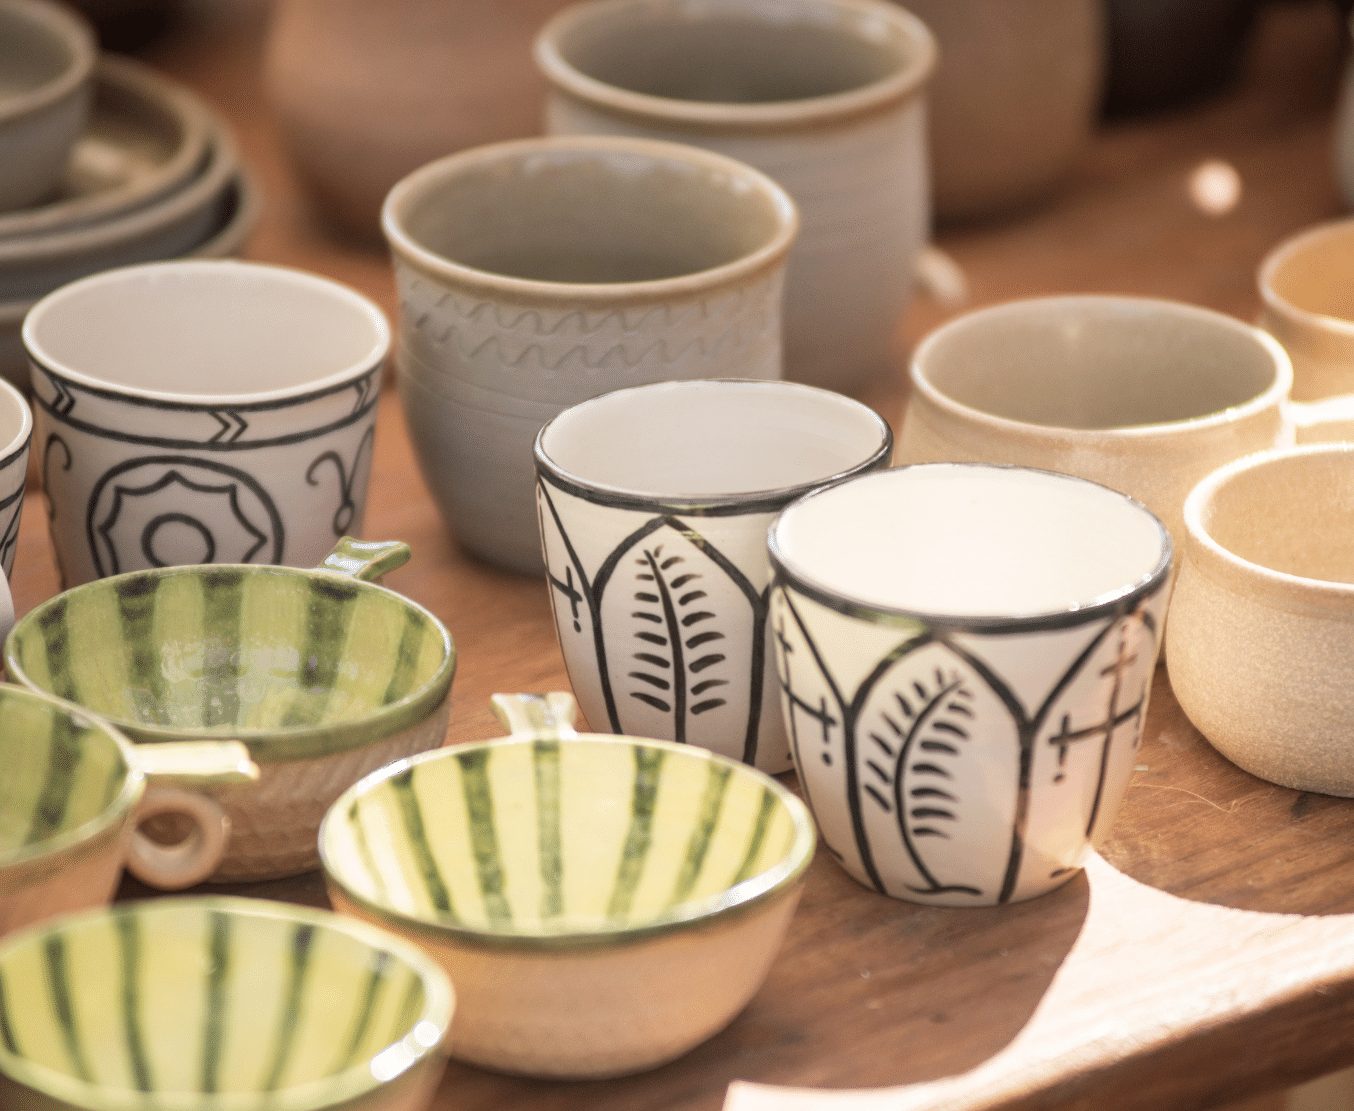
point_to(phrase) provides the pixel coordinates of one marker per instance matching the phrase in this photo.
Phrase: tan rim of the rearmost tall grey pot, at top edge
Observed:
(768, 116)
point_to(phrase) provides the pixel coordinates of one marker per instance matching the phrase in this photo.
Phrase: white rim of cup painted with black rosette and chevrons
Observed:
(205, 271)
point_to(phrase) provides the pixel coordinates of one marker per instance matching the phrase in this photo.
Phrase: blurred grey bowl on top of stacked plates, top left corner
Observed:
(47, 58)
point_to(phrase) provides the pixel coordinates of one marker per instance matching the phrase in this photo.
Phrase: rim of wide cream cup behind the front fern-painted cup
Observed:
(1273, 396)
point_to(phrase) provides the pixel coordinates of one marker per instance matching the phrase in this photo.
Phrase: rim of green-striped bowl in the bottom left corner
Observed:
(338, 1091)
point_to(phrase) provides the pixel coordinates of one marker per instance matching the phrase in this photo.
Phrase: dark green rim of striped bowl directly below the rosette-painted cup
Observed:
(280, 744)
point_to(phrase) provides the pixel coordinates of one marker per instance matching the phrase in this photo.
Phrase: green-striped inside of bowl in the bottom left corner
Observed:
(192, 999)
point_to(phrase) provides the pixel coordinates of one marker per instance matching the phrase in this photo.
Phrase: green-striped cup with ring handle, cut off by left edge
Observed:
(72, 796)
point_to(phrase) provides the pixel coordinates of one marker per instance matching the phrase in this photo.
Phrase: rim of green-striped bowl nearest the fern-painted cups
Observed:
(778, 880)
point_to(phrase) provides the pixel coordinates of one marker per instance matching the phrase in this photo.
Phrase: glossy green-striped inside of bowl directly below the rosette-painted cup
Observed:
(236, 653)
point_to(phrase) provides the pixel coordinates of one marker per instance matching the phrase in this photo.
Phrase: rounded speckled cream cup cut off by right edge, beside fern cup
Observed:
(1261, 645)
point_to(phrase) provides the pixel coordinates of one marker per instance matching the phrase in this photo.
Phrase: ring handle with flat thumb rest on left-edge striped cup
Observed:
(178, 773)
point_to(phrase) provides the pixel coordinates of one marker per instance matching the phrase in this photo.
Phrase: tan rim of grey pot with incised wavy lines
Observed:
(429, 179)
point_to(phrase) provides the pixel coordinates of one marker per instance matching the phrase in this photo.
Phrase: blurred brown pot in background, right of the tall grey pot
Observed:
(1015, 99)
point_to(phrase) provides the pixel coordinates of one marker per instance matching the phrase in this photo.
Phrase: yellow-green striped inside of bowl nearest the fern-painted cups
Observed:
(550, 838)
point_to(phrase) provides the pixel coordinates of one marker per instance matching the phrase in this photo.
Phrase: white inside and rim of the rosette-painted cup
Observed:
(208, 330)
